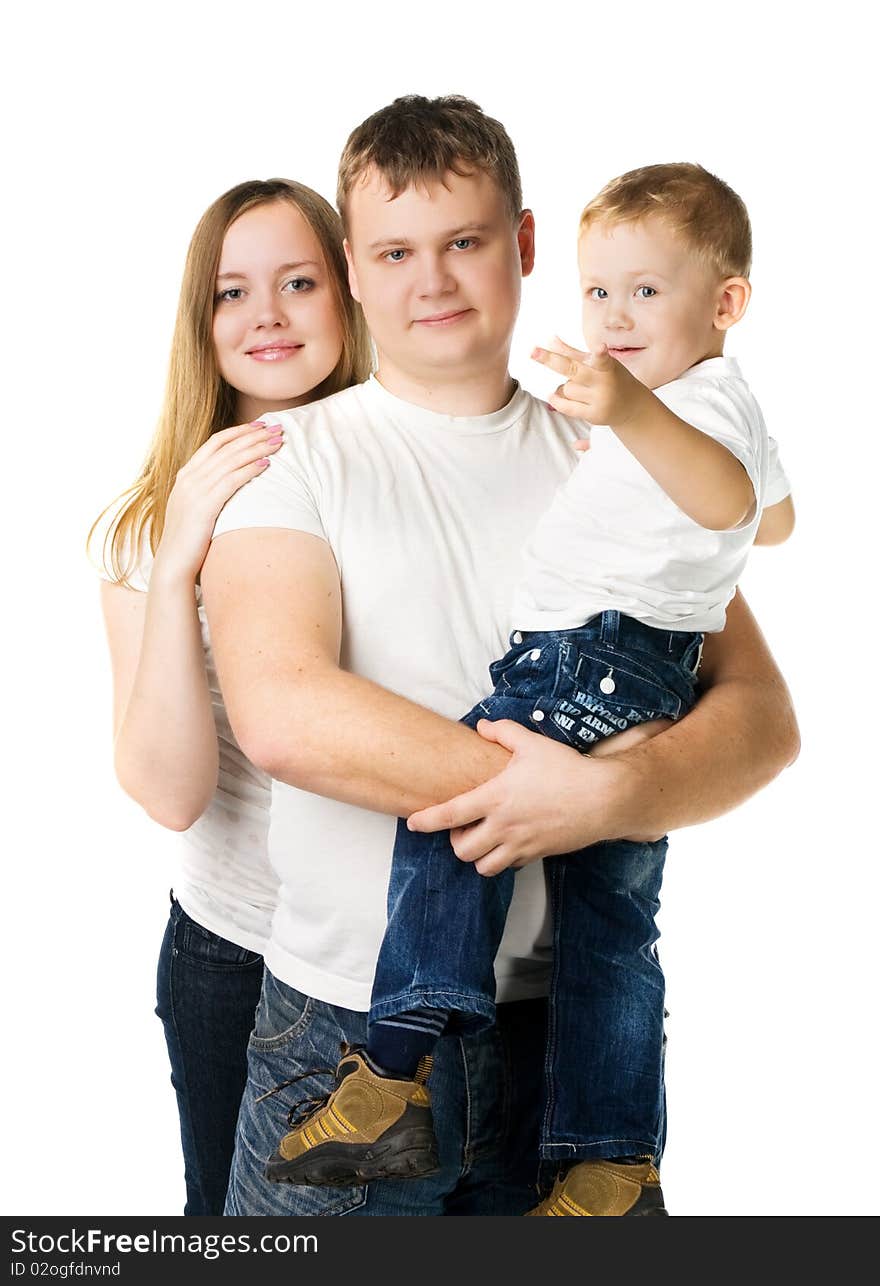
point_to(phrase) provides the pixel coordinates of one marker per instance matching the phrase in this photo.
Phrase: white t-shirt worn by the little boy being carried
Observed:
(614, 541)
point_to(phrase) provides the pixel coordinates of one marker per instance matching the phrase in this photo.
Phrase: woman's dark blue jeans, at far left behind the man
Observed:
(208, 991)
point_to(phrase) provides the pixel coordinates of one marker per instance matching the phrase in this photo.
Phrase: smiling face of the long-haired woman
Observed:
(277, 332)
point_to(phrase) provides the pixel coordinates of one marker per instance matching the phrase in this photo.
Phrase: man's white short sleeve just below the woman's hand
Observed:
(284, 496)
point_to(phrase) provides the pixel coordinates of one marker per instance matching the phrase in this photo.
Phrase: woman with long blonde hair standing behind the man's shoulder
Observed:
(266, 322)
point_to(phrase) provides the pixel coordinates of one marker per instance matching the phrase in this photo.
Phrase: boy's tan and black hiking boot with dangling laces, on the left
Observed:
(369, 1128)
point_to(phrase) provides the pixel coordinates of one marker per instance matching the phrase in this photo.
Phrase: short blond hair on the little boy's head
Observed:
(694, 203)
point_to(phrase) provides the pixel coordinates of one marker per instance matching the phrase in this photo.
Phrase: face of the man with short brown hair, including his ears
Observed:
(438, 271)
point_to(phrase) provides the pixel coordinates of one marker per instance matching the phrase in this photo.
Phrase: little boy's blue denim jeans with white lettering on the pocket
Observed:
(605, 1051)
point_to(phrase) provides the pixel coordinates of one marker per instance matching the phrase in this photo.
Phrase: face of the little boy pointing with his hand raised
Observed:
(649, 298)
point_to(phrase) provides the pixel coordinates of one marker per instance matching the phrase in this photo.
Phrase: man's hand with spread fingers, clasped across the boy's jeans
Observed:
(533, 808)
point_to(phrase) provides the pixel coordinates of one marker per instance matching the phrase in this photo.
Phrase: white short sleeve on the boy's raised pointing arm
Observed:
(726, 412)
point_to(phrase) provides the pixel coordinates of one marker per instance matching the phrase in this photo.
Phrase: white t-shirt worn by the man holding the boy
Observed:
(426, 516)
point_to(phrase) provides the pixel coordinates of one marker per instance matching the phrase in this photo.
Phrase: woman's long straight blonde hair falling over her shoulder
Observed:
(199, 401)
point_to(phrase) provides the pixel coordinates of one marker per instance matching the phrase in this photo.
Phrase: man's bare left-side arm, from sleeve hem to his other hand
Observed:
(275, 610)
